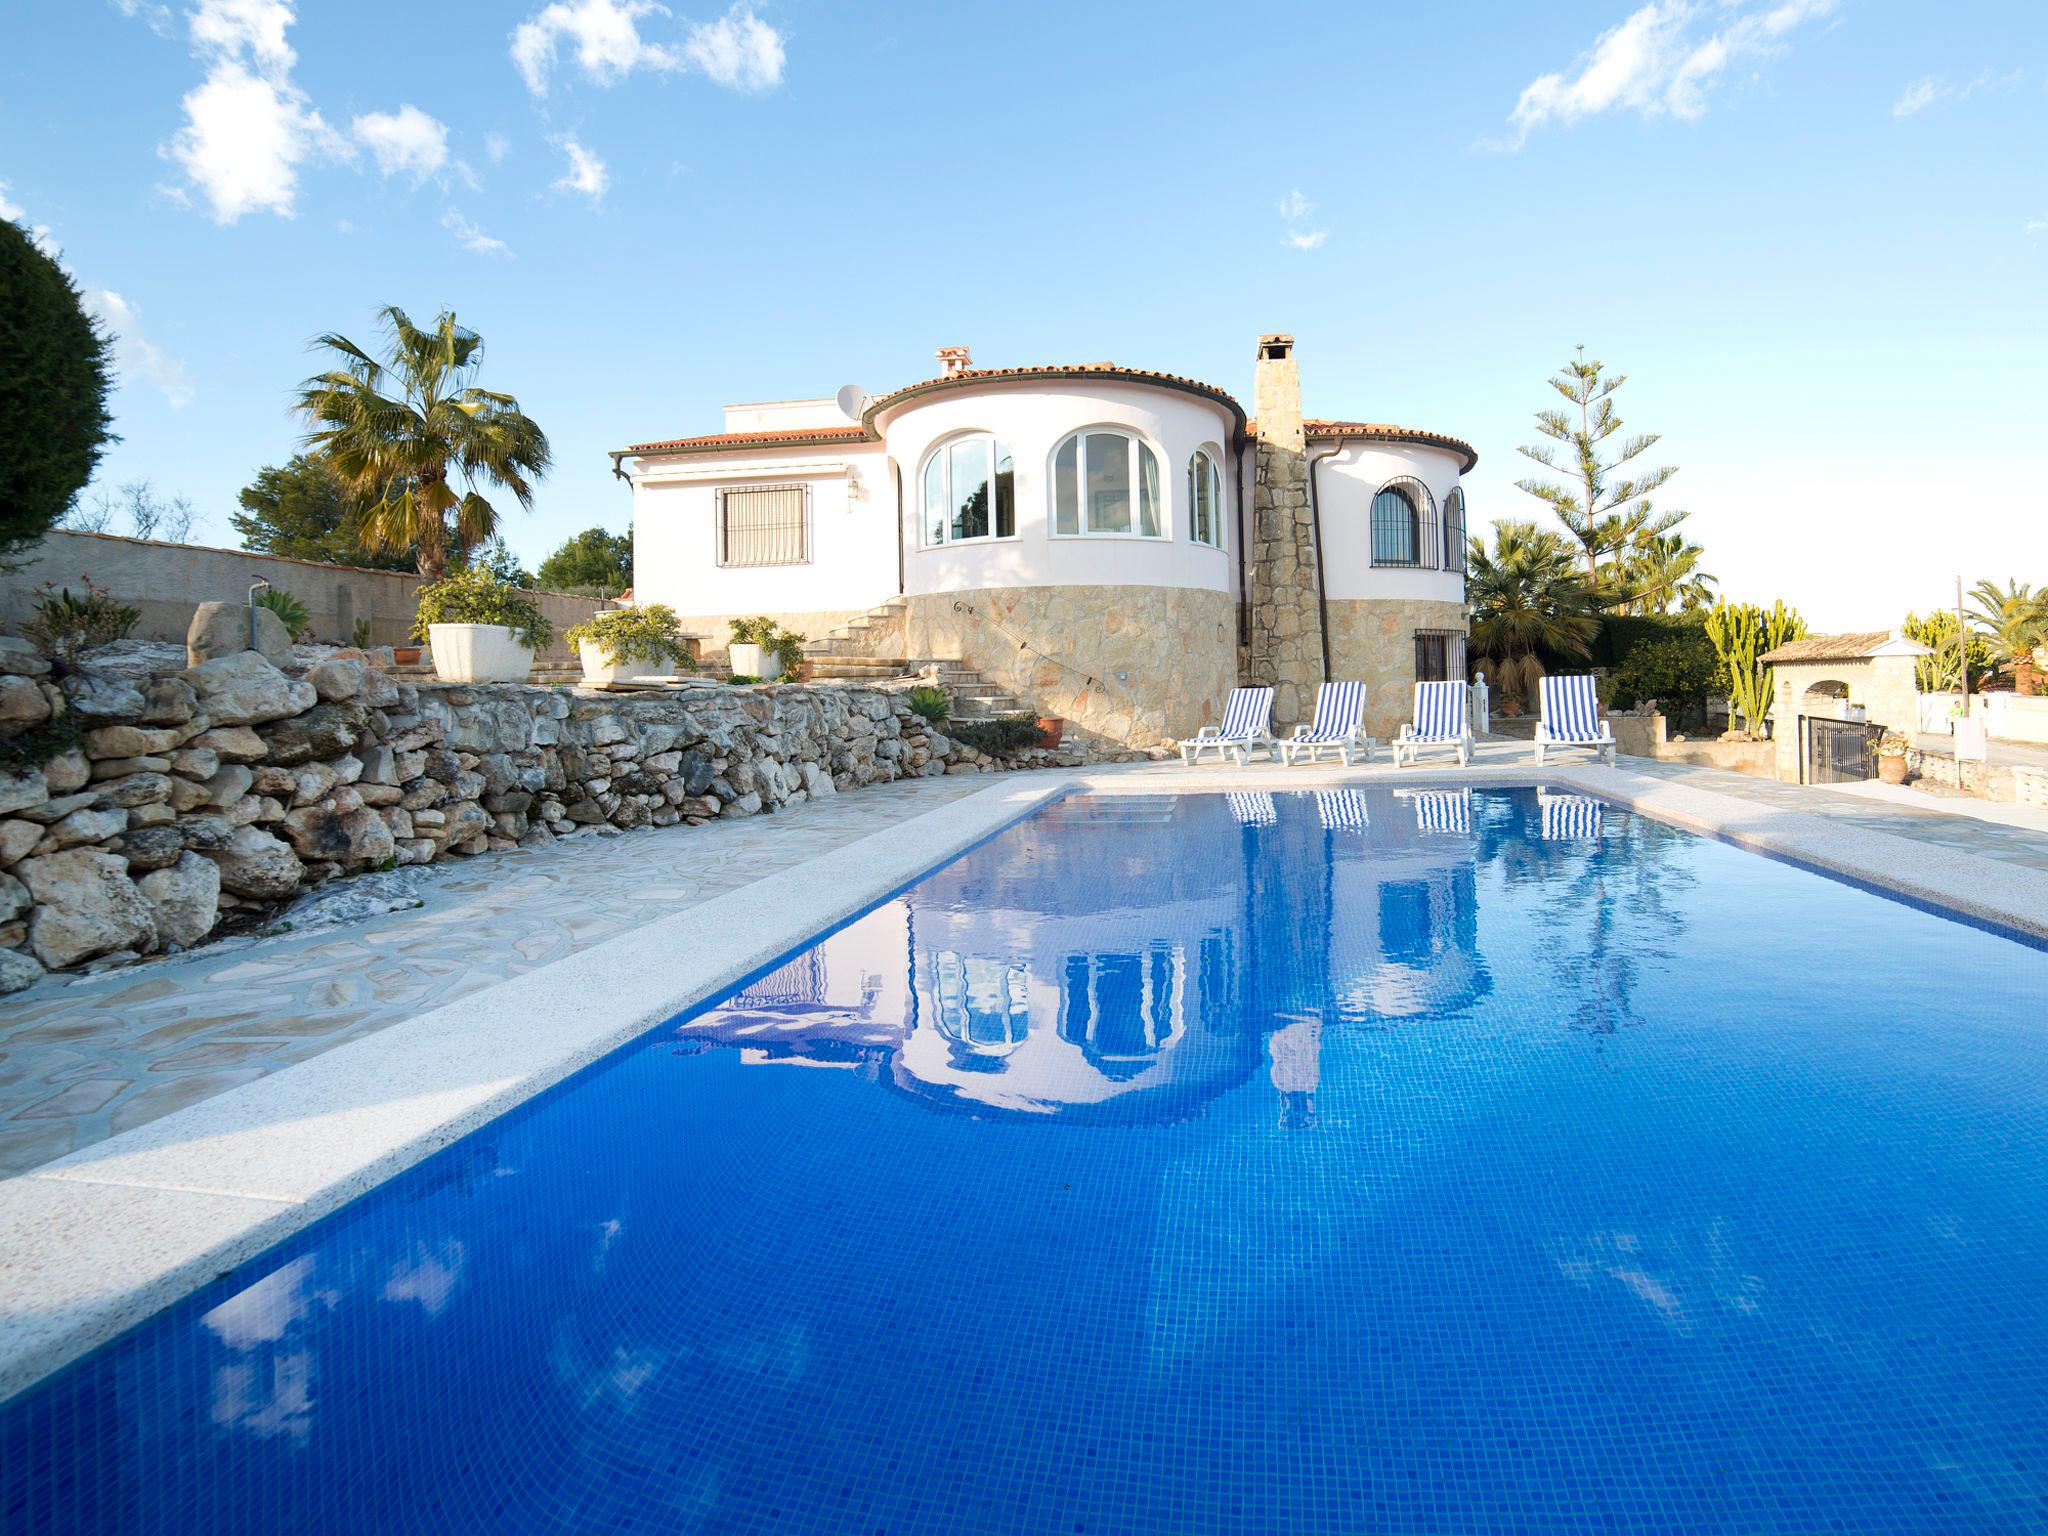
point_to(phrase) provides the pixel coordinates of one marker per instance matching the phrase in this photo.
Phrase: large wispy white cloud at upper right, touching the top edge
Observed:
(1660, 62)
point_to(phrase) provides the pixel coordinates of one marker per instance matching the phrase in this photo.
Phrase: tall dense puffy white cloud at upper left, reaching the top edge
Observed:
(249, 128)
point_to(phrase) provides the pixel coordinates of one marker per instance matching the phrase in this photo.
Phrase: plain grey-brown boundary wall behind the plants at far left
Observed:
(169, 581)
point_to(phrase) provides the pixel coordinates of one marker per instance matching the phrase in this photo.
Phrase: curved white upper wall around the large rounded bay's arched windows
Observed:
(1031, 419)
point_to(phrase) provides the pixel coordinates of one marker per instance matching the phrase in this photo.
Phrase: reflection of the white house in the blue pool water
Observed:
(1113, 966)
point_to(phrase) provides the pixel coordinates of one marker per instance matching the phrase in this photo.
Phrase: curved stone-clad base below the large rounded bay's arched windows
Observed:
(1129, 665)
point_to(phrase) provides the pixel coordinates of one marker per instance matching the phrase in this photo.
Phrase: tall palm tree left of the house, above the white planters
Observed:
(396, 431)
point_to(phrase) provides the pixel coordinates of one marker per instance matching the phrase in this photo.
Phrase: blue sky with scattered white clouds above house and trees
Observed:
(1814, 232)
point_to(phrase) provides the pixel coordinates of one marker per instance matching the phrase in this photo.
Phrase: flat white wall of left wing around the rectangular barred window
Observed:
(853, 538)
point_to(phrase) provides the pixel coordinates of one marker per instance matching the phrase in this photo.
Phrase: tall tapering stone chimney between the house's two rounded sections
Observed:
(1285, 646)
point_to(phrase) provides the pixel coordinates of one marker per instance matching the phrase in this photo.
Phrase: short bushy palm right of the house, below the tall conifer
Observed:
(1529, 601)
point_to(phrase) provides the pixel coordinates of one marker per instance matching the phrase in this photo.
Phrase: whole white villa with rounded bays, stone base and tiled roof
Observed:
(1111, 546)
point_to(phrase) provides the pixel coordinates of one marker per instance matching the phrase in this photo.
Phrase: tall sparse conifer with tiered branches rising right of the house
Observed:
(1603, 515)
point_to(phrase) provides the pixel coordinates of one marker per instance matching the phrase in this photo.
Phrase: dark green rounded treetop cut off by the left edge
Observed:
(56, 374)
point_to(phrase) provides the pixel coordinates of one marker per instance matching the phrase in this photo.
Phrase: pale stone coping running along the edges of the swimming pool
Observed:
(112, 1234)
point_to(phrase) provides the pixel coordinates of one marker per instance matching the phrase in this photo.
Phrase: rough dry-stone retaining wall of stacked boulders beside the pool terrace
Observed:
(230, 787)
